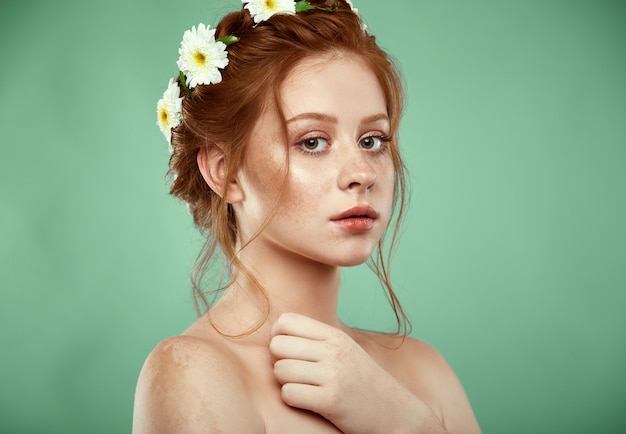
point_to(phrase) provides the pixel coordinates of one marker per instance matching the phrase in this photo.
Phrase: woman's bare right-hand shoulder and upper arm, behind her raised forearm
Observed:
(426, 373)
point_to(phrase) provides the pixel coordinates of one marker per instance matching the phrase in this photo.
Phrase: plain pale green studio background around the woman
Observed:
(513, 262)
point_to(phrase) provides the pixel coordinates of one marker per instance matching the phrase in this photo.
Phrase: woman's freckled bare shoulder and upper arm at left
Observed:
(189, 384)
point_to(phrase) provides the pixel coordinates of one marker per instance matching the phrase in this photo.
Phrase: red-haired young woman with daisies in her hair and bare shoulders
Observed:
(283, 138)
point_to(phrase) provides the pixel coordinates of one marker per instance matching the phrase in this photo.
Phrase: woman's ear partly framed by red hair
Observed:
(213, 169)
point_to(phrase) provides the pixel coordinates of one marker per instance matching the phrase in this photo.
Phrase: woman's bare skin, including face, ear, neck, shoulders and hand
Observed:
(303, 370)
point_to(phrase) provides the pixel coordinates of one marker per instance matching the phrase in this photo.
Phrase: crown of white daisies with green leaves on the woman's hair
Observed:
(202, 56)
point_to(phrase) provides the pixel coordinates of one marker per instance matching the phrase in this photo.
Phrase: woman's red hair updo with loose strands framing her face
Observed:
(226, 113)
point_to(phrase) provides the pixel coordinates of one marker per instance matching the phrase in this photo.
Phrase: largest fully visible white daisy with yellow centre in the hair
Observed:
(201, 57)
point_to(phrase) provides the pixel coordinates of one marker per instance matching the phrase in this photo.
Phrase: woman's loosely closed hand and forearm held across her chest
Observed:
(323, 370)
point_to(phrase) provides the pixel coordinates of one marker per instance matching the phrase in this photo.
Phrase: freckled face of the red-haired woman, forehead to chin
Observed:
(339, 183)
